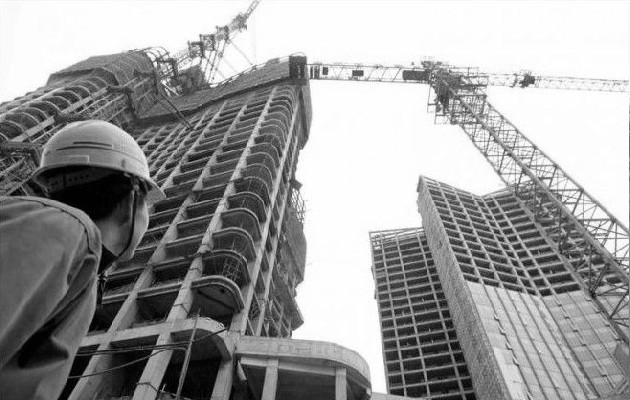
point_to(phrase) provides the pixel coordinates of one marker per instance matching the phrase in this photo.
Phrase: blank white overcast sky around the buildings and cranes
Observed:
(369, 142)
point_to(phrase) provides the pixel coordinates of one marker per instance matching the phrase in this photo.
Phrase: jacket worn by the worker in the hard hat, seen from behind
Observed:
(49, 257)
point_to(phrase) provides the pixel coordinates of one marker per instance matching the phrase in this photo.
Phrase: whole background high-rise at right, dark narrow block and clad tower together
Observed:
(482, 289)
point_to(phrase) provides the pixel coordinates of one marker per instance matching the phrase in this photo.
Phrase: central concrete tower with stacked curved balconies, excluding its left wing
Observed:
(225, 250)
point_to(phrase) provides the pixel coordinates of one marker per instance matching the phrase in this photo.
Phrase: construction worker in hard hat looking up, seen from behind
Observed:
(52, 250)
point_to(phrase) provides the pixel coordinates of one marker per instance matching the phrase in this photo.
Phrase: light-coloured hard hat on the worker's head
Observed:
(96, 144)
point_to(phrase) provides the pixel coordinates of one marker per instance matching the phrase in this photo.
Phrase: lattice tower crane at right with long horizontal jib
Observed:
(594, 242)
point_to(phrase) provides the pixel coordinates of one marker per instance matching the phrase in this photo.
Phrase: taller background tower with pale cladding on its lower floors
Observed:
(511, 286)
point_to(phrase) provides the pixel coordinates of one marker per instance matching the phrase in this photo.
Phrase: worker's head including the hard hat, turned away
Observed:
(98, 168)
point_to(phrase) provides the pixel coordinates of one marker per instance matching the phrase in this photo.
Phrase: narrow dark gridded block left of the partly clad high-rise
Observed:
(421, 351)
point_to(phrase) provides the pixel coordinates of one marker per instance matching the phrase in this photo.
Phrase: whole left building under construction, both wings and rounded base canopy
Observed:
(206, 308)
